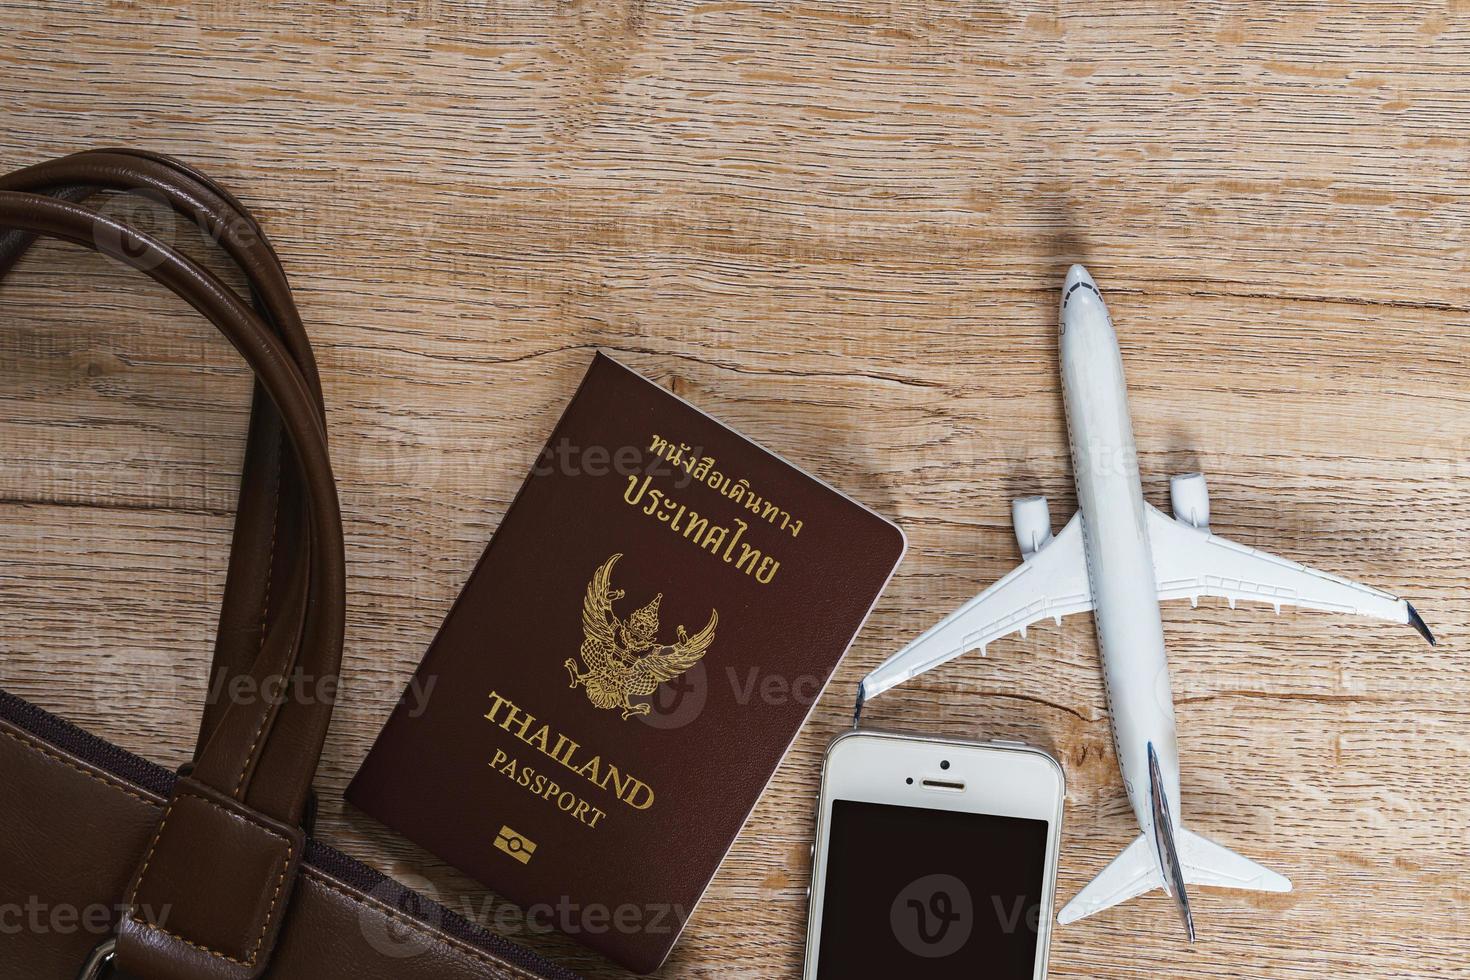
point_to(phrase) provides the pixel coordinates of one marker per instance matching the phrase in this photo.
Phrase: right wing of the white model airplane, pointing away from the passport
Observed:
(1193, 562)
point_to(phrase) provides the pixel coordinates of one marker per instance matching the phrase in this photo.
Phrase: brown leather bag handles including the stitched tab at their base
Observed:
(227, 851)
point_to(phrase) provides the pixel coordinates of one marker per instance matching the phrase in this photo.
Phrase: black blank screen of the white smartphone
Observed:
(931, 894)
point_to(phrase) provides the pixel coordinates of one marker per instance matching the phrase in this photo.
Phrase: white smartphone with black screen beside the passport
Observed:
(934, 859)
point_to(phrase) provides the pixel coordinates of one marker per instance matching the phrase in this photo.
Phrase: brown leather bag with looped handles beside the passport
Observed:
(111, 866)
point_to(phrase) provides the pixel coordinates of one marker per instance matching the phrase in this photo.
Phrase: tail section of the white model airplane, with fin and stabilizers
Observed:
(1169, 860)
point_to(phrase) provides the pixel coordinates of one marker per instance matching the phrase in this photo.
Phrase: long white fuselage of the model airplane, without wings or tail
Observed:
(1121, 563)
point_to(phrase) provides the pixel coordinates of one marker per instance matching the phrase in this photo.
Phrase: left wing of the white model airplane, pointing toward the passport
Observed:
(1049, 586)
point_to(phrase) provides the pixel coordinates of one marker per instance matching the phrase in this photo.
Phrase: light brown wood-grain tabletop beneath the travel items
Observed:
(842, 228)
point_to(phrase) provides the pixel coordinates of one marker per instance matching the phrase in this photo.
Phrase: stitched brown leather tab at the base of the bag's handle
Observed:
(212, 890)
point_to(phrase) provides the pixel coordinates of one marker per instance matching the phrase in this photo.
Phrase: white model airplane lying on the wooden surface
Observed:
(1119, 558)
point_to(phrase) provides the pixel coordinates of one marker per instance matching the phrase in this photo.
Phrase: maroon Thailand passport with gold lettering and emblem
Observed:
(627, 666)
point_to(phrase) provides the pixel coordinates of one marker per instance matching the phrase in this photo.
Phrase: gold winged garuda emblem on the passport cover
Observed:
(623, 657)
